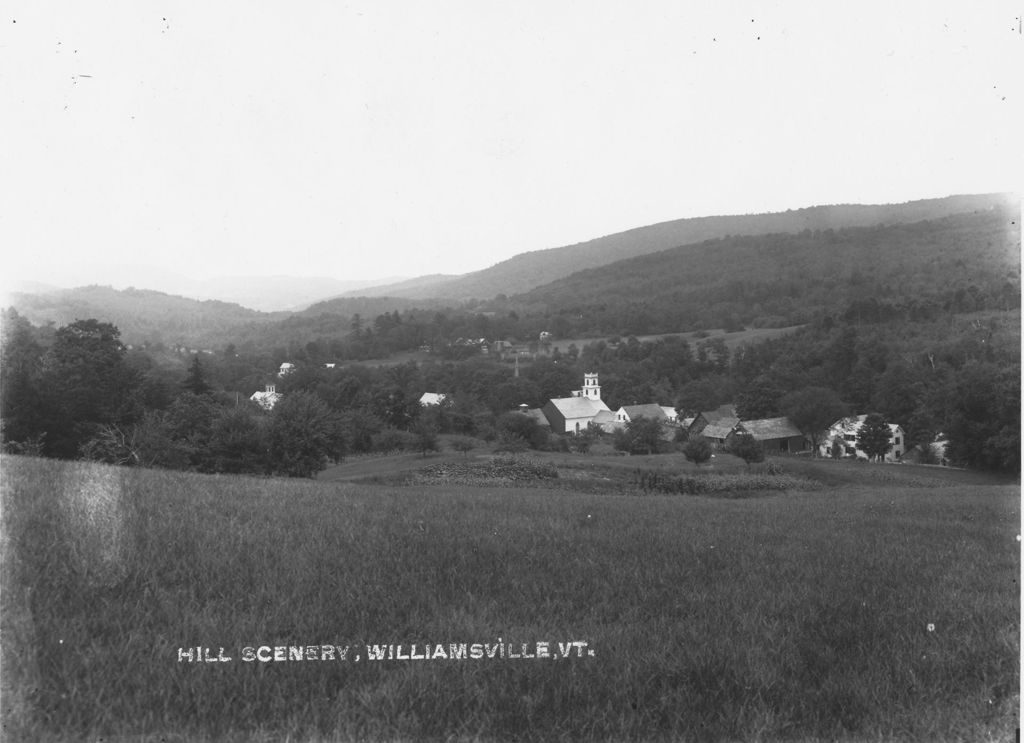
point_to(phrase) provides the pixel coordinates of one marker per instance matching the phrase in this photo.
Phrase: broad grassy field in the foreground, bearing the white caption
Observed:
(844, 613)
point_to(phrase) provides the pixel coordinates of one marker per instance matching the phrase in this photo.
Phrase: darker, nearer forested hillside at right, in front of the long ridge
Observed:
(961, 264)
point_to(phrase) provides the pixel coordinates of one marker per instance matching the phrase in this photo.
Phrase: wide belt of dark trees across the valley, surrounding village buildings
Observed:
(78, 390)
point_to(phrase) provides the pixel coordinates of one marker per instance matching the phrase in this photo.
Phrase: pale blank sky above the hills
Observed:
(376, 139)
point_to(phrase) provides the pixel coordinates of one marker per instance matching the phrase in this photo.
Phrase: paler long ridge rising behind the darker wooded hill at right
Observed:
(529, 271)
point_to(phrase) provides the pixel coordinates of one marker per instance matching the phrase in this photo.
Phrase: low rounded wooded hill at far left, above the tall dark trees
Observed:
(141, 315)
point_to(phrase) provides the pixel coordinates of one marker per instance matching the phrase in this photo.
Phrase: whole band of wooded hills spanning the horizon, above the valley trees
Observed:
(767, 279)
